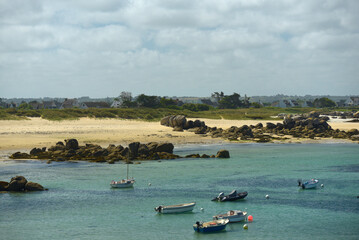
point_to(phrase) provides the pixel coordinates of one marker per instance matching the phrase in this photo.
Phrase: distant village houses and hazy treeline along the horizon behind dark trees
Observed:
(281, 101)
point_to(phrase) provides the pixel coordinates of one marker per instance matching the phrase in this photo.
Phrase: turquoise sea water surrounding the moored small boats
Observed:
(81, 205)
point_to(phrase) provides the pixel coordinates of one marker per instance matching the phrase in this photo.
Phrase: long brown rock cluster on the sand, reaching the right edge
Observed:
(309, 125)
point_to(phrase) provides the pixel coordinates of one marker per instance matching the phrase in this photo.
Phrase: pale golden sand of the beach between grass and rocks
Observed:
(26, 134)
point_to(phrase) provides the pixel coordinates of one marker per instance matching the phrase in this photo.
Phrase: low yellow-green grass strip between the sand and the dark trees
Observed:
(152, 114)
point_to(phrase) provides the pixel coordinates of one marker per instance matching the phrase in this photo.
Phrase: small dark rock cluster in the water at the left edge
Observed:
(20, 184)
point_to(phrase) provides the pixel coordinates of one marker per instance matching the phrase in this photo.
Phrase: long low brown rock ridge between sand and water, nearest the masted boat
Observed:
(71, 150)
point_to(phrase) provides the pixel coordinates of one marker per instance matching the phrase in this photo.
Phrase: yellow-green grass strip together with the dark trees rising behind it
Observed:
(153, 108)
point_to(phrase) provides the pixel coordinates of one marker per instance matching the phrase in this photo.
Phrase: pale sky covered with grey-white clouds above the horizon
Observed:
(98, 48)
